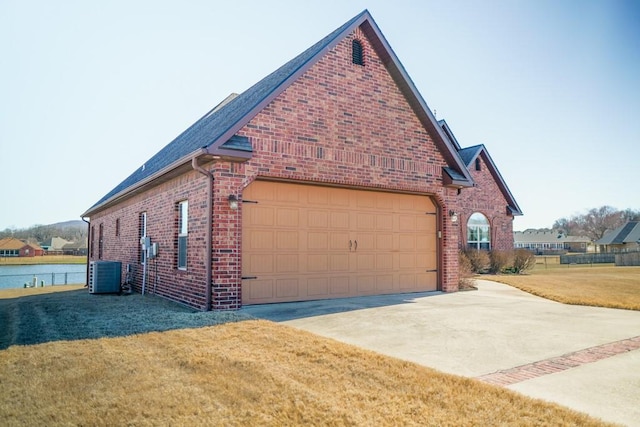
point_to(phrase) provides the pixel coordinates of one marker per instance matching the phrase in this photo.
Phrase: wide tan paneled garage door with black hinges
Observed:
(303, 242)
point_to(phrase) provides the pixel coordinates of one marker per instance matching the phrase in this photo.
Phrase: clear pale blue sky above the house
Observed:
(89, 90)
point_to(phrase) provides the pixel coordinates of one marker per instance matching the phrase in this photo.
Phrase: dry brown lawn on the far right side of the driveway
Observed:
(602, 286)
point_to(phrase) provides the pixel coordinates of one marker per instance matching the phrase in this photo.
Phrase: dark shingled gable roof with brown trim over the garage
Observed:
(213, 134)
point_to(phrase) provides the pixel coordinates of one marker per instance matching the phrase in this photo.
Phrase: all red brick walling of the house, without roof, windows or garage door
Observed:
(341, 124)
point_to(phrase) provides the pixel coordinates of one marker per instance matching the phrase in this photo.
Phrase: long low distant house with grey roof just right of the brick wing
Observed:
(542, 242)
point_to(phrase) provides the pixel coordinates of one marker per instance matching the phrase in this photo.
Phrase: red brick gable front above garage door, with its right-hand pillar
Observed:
(346, 124)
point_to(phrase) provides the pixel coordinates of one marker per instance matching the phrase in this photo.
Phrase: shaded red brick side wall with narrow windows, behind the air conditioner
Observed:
(160, 203)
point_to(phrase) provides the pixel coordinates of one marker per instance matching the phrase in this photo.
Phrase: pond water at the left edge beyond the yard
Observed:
(15, 276)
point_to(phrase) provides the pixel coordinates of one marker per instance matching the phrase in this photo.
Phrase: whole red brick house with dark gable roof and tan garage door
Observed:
(328, 178)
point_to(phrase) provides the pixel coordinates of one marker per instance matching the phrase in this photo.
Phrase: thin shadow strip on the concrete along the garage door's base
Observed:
(281, 312)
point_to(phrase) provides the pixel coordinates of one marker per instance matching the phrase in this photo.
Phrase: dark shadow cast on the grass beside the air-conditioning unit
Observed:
(76, 315)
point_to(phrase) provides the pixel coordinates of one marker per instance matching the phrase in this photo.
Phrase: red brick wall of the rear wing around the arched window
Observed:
(487, 199)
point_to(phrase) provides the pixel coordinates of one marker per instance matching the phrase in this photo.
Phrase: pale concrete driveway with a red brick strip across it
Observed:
(586, 358)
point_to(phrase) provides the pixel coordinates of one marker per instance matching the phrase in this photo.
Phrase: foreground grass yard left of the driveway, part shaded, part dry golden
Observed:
(70, 358)
